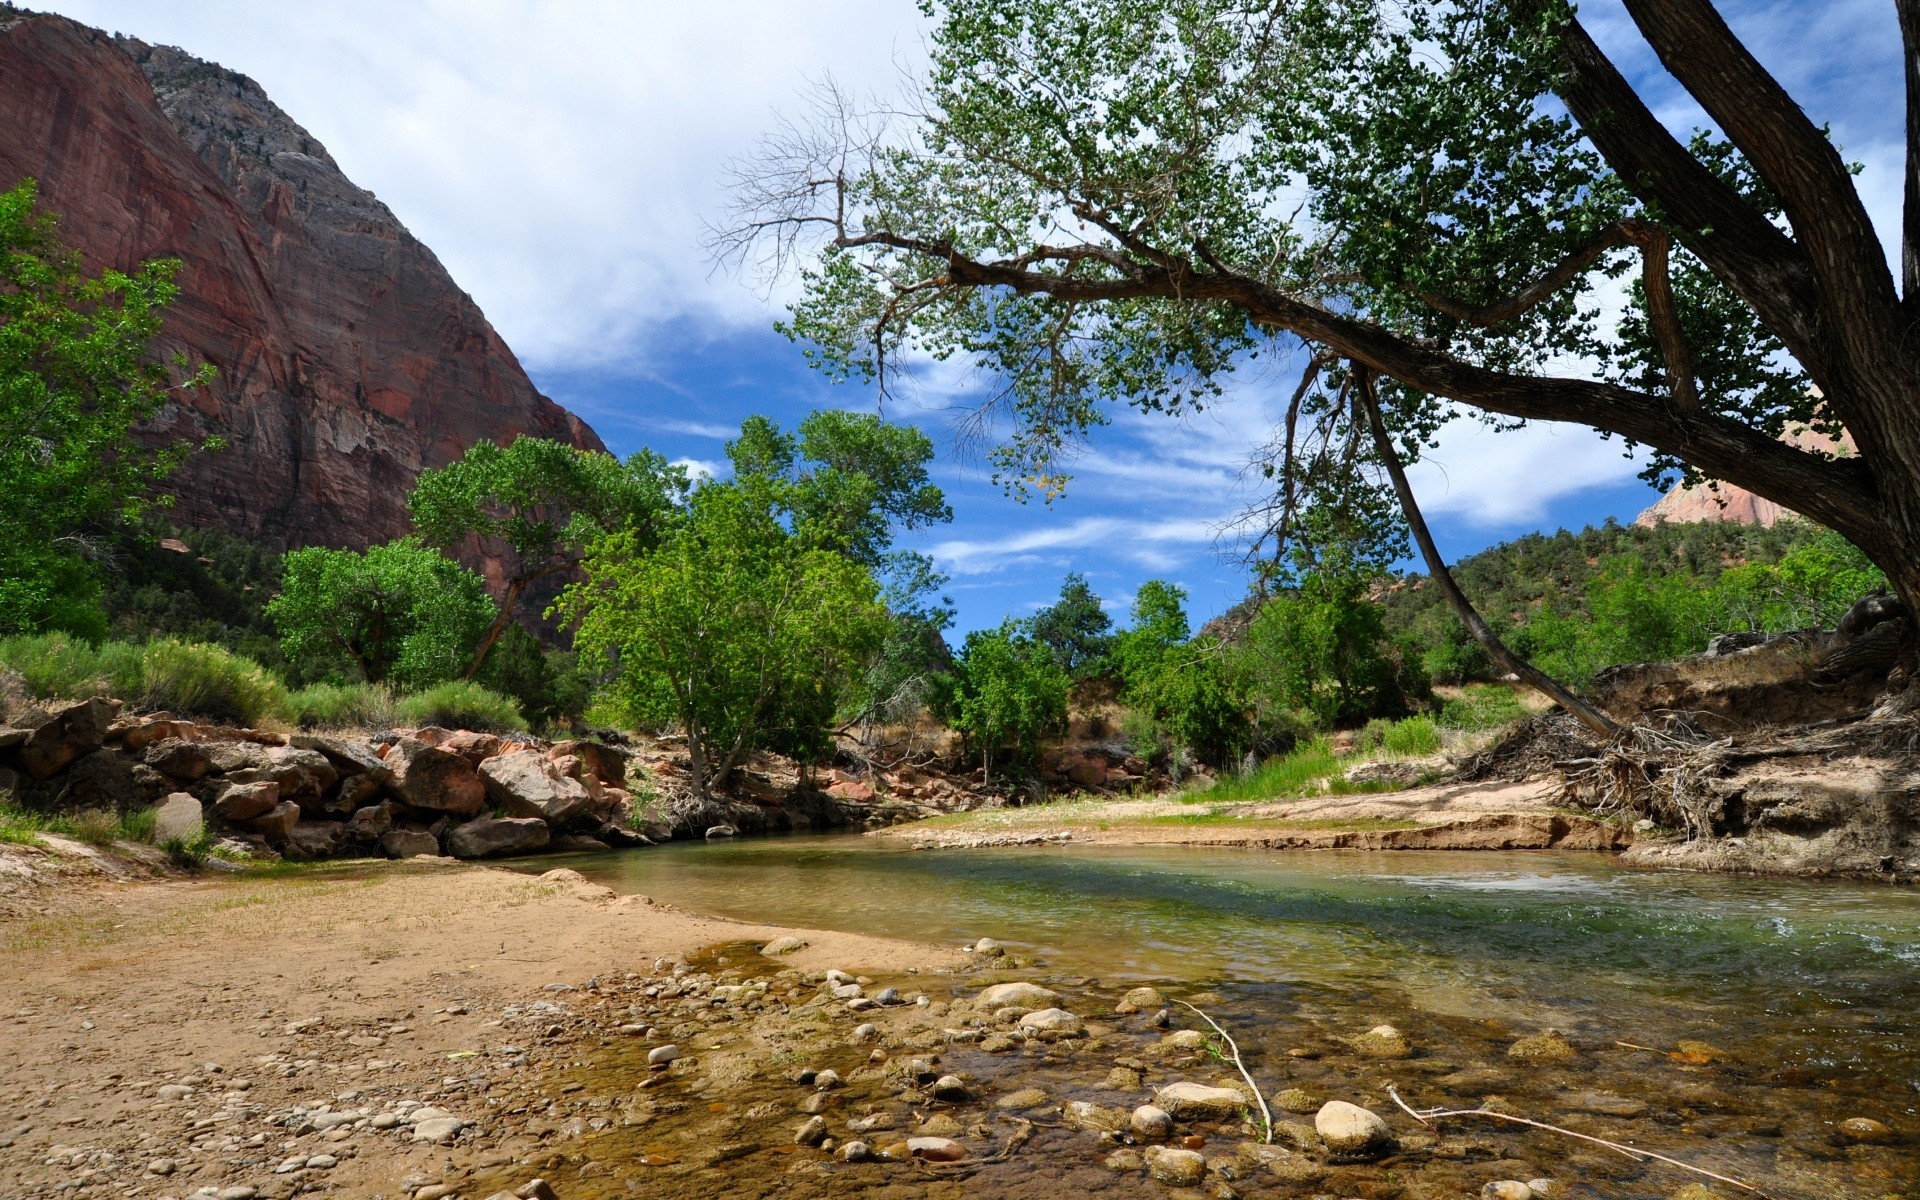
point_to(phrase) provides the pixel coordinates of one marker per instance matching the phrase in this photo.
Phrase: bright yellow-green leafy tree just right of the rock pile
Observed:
(732, 629)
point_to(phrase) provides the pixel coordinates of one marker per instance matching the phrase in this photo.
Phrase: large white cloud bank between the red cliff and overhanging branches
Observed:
(558, 156)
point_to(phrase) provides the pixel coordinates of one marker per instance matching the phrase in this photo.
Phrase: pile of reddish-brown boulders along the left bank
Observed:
(304, 796)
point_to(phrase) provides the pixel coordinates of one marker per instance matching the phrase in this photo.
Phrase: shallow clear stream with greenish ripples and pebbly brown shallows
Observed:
(1796, 1001)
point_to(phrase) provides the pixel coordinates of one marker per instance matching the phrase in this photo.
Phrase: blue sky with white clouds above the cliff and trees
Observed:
(560, 156)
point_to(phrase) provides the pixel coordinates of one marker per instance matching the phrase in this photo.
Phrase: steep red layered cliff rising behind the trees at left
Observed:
(348, 358)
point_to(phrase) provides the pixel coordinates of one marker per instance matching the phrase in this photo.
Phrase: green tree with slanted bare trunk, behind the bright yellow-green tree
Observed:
(546, 502)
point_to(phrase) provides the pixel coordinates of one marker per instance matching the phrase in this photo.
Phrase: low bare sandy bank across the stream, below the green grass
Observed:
(1449, 817)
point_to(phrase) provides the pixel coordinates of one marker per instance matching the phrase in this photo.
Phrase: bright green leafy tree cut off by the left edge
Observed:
(76, 379)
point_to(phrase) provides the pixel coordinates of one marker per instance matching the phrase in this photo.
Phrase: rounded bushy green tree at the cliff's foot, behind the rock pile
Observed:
(396, 613)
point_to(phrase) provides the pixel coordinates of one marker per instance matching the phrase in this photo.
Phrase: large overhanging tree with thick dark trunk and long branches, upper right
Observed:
(1122, 201)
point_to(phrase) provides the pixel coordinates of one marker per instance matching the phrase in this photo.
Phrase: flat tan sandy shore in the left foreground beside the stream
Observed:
(176, 1024)
